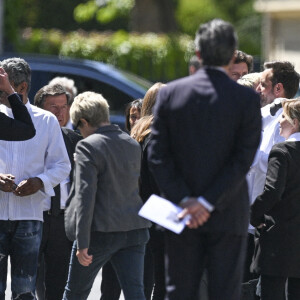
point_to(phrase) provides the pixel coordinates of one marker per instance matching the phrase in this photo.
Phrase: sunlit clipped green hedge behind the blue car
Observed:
(152, 56)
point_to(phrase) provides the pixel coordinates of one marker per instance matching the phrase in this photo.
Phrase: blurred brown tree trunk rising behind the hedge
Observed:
(153, 16)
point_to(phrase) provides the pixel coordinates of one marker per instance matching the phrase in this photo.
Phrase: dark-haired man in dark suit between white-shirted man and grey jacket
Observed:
(55, 247)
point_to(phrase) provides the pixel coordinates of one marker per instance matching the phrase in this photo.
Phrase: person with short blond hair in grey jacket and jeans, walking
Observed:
(106, 200)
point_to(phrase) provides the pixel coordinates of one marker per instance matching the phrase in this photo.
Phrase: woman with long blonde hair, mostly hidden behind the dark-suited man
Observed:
(154, 273)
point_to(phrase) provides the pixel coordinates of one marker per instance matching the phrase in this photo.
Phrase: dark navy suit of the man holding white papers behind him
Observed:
(205, 134)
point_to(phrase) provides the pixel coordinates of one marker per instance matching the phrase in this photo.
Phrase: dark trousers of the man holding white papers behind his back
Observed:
(188, 253)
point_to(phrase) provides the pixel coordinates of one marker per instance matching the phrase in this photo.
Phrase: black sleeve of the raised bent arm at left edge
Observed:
(21, 127)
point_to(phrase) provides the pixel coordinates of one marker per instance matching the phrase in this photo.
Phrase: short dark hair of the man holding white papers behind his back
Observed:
(216, 41)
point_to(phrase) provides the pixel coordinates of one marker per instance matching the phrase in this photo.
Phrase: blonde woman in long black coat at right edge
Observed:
(276, 213)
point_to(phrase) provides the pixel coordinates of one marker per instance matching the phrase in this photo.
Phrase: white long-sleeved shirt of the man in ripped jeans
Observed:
(44, 156)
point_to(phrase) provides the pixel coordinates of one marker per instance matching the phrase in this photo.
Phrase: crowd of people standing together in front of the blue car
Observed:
(222, 143)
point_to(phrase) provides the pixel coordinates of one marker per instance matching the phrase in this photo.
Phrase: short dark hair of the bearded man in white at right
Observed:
(284, 72)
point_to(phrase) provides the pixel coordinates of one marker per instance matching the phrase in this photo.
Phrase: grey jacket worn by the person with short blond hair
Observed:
(107, 168)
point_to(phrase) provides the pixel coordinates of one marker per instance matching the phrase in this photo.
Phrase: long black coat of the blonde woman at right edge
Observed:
(278, 251)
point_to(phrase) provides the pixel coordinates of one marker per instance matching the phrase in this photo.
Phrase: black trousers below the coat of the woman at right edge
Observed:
(279, 288)
